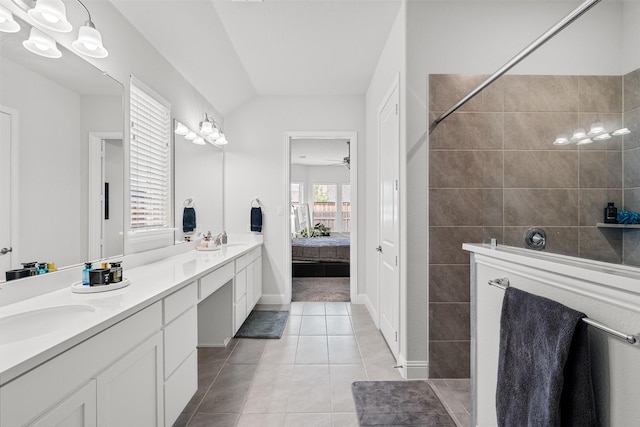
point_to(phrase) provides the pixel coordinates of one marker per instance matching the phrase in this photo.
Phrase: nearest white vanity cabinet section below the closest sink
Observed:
(121, 367)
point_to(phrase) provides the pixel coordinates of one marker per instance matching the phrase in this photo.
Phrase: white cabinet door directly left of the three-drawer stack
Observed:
(130, 392)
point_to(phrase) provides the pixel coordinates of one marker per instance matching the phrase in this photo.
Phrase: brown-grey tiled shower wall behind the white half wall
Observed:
(494, 173)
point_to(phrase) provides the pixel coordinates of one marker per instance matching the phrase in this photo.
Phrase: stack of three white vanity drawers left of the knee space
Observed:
(180, 353)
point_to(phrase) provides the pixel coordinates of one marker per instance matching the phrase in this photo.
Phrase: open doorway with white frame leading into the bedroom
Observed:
(322, 196)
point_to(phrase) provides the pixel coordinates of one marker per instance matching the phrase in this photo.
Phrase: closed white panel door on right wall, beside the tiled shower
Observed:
(389, 229)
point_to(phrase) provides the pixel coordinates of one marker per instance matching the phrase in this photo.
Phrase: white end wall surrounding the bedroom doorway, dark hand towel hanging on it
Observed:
(255, 166)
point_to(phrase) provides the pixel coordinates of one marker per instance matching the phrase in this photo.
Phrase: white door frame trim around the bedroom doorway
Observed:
(352, 136)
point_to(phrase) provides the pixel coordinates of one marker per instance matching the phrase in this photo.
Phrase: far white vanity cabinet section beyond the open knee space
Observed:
(247, 288)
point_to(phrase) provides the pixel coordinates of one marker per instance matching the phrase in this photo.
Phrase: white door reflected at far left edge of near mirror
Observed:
(5, 193)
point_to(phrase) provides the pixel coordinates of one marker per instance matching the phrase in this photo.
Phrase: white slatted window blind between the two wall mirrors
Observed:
(150, 177)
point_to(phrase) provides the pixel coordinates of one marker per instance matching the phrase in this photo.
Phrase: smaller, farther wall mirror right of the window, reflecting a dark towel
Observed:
(199, 184)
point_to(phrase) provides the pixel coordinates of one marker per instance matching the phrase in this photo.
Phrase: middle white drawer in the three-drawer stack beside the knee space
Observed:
(180, 339)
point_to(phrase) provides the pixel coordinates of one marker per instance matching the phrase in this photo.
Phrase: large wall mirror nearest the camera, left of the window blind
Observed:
(54, 111)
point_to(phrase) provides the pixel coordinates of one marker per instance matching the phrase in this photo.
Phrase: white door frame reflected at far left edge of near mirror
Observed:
(14, 197)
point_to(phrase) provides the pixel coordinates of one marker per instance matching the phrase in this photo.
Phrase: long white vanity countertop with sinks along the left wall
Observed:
(149, 284)
